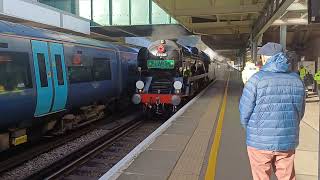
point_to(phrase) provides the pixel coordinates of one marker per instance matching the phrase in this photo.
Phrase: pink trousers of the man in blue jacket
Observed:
(262, 163)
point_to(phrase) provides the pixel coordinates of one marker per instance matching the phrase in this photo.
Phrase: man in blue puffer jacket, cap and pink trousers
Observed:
(271, 107)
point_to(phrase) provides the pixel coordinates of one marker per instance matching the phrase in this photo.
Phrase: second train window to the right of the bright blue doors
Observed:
(101, 69)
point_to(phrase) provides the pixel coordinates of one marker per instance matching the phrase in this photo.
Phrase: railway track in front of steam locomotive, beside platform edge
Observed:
(100, 159)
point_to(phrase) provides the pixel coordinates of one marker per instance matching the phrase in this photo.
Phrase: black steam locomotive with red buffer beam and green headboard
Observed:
(169, 74)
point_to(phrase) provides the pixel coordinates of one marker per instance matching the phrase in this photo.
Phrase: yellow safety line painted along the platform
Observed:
(211, 169)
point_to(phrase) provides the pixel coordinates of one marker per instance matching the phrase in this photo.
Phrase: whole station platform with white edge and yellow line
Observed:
(204, 140)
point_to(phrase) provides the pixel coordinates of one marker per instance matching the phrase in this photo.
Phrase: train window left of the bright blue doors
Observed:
(14, 71)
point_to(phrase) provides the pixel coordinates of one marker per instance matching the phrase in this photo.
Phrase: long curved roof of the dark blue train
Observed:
(28, 31)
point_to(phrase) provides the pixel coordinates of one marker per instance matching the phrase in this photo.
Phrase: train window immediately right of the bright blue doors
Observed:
(80, 74)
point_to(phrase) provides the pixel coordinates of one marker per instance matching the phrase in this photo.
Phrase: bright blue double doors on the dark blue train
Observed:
(50, 77)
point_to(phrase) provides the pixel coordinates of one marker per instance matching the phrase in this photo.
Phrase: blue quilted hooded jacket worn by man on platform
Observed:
(272, 105)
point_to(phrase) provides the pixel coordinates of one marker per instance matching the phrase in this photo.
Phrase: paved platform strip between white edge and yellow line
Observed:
(180, 151)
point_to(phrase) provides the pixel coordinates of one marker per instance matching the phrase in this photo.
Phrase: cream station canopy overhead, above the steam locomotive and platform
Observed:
(228, 24)
